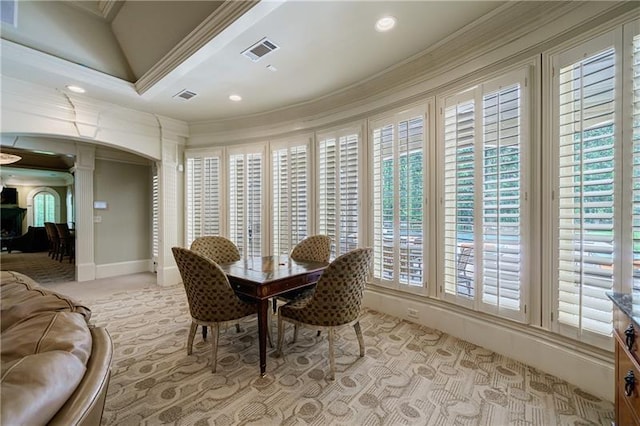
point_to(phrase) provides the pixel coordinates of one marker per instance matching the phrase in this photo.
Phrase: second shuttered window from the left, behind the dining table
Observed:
(246, 199)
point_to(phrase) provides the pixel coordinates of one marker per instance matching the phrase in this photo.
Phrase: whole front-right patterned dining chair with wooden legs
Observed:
(337, 301)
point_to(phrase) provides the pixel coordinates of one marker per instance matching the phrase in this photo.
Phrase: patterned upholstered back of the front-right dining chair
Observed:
(337, 299)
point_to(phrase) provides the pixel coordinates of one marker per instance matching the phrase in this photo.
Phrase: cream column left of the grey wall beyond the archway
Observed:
(83, 173)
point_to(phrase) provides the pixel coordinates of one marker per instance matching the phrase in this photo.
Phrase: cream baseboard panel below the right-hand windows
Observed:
(533, 347)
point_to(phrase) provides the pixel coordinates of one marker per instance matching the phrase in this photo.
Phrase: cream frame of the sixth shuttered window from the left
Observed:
(473, 92)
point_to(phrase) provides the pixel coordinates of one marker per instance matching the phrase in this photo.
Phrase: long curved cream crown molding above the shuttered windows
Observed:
(507, 32)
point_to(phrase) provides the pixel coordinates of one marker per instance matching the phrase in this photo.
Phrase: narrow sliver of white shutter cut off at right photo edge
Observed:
(636, 160)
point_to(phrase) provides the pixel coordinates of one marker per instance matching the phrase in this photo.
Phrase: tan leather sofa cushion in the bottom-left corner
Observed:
(44, 358)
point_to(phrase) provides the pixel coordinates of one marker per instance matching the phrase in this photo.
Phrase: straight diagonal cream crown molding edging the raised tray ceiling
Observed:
(225, 15)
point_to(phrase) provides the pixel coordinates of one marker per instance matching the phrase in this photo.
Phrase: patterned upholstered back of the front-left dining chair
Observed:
(209, 293)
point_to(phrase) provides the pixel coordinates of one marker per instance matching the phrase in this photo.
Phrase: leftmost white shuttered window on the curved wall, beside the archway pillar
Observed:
(203, 199)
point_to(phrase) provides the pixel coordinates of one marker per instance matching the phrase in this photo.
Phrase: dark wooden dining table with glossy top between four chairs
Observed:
(261, 278)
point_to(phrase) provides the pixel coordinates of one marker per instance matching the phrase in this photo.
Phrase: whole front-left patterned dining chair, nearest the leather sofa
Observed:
(212, 301)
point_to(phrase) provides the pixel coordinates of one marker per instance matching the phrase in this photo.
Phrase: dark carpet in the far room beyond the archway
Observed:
(38, 266)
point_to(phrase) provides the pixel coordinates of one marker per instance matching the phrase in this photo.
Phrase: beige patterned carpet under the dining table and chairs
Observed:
(410, 375)
